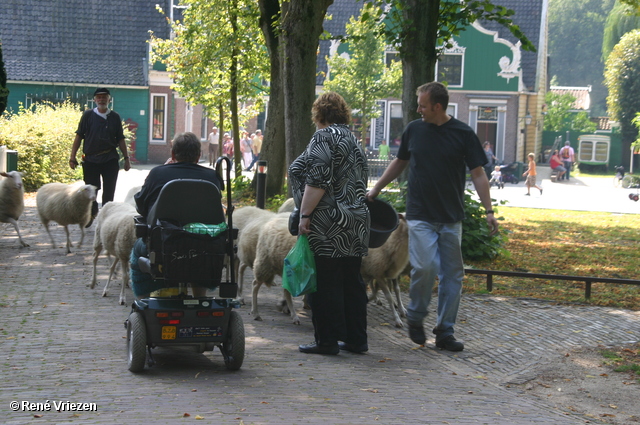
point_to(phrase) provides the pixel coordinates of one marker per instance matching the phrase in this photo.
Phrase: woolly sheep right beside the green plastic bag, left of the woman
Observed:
(274, 243)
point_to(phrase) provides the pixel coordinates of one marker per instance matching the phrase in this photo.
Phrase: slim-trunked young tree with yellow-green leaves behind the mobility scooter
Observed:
(217, 59)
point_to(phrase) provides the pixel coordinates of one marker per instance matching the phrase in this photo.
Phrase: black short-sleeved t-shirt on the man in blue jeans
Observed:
(437, 158)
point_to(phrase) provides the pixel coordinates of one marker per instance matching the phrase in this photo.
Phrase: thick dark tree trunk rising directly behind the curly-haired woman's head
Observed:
(301, 28)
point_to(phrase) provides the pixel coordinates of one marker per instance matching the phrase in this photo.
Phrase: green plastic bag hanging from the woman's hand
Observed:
(299, 272)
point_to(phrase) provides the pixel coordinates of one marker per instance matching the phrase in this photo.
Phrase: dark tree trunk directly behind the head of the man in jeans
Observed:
(418, 51)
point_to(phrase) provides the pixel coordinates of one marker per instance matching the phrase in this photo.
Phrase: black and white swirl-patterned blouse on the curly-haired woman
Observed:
(334, 161)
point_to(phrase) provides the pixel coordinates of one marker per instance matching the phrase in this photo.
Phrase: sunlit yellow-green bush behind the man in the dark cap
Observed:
(43, 137)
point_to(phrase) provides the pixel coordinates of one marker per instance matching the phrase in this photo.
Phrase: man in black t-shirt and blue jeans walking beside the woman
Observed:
(437, 149)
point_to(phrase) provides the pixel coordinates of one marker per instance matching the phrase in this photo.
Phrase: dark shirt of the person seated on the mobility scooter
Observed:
(162, 174)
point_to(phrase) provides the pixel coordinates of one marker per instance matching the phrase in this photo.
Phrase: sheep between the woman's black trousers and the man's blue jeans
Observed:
(384, 264)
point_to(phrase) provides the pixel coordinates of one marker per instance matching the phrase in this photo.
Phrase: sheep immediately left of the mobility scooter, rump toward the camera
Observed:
(116, 233)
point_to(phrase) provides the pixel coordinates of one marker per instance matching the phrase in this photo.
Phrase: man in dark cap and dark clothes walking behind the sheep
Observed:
(102, 132)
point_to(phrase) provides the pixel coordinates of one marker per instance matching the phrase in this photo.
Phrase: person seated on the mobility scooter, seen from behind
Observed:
(185, 154)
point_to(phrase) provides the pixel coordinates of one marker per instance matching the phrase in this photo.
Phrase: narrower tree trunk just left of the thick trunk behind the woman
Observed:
(273, 147)
